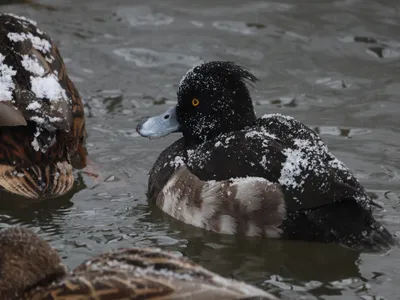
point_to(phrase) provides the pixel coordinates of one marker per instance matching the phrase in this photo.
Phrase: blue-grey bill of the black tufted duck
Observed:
(159, 126)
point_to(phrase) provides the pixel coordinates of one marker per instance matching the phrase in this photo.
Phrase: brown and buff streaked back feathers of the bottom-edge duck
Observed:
(144, 273)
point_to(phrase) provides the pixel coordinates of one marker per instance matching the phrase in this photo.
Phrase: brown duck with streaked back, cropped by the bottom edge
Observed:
(31, 269)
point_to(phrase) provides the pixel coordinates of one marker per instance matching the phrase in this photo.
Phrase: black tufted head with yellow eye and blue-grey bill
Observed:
(212, 99)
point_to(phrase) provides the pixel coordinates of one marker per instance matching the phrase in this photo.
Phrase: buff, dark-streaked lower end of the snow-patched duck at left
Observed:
(37, 181)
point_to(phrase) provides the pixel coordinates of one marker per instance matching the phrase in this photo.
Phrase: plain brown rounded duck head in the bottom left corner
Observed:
(26, 262)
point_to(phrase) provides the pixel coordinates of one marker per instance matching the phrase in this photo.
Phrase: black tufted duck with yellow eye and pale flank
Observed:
(234, 173)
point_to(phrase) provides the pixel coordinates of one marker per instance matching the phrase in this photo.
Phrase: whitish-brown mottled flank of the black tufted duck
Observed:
(250, 206)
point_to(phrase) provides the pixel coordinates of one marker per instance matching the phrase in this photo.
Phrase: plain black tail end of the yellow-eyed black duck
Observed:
(346, 222)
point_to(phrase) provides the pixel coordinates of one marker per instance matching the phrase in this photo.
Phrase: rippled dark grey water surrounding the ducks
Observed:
(332, 64)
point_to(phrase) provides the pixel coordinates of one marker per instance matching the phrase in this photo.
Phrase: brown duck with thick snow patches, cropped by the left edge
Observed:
(42, 124)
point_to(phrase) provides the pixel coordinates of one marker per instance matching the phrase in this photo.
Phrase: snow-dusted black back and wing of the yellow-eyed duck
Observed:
(281, 150)
